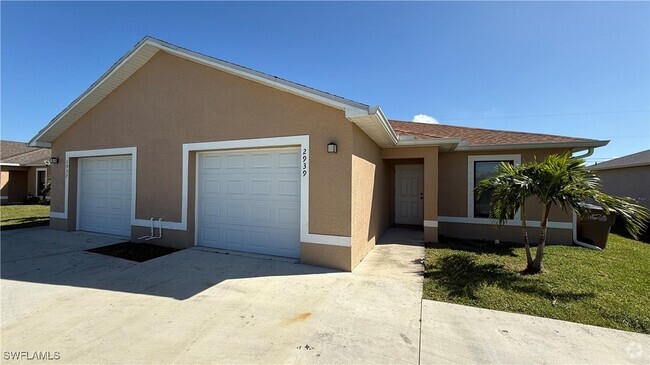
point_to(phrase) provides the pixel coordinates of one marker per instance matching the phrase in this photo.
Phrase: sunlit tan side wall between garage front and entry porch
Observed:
(370, 215)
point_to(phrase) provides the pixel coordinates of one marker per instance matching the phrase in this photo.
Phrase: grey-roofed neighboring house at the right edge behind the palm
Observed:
(627, 176)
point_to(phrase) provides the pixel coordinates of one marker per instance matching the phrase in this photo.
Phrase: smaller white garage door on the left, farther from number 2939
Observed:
(105, 195)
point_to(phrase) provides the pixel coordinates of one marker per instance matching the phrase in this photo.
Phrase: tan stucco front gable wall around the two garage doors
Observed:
(171, 101)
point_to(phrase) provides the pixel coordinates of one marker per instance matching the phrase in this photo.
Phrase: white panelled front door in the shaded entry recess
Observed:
(409, 194)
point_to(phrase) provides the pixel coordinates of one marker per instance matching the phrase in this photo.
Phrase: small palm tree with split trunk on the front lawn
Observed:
(559, 180)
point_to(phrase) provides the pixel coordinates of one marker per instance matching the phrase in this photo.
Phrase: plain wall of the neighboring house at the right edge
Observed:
(633, 182)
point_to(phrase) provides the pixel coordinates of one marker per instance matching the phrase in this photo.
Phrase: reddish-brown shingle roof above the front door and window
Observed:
(476, 138)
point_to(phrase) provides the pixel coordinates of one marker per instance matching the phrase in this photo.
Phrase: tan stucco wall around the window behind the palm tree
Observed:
(453, 199)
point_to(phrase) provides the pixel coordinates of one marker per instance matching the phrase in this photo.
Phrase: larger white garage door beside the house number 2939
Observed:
(250, 201)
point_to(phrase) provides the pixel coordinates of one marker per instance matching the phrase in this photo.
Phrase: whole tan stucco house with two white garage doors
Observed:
(235, 159)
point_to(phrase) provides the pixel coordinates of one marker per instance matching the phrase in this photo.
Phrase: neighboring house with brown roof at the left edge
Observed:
(23, 171)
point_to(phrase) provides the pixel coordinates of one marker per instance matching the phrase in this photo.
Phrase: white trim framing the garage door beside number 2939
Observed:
(302, 142)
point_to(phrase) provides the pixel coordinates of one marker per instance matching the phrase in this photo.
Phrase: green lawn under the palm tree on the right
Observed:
(609, 288)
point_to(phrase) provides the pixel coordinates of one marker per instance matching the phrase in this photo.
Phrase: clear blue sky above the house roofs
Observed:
(580, 69)
